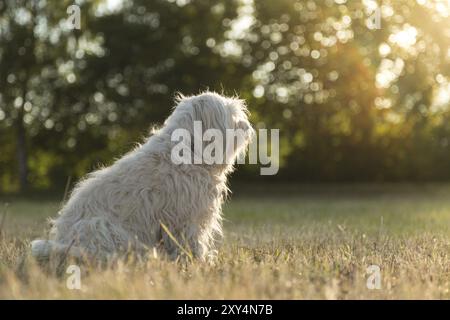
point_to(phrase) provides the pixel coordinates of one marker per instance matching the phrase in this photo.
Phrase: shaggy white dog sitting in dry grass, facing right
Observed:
(145, 201)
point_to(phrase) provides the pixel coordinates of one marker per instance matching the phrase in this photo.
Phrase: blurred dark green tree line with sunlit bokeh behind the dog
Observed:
(354, 101)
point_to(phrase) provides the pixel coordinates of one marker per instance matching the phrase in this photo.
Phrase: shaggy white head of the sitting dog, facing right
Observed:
(212, 118)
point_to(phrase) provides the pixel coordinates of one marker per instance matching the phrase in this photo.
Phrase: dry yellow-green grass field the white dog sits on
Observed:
(281, 242)
